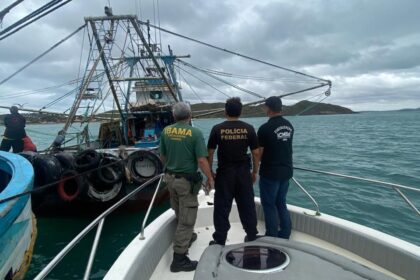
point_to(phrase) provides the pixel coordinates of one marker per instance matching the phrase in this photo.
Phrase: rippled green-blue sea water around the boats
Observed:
(376, 145)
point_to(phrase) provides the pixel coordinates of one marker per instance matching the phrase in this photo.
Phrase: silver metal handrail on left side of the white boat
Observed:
(100, 219)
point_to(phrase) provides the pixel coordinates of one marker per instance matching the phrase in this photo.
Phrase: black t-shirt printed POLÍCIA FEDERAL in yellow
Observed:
(232, 139)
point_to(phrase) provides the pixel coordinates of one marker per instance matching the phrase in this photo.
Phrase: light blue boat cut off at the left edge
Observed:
(17, 222)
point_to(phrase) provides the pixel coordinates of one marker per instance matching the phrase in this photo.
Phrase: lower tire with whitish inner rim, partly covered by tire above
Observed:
(103, 192)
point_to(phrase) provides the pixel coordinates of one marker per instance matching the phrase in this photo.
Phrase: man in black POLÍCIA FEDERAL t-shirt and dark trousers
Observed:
(234, 178)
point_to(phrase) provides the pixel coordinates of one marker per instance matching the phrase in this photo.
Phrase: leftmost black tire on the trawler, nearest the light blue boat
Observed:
(47, 169)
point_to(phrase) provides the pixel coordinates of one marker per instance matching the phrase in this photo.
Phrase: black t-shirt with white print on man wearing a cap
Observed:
(276, 137)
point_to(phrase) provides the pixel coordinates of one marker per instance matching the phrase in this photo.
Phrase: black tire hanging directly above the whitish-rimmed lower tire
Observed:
(112, 173)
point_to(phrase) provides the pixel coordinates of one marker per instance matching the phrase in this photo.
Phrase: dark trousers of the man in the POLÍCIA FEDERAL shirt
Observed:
(234, 182)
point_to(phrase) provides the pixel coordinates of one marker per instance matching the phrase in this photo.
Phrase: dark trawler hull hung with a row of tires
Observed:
(89, 182)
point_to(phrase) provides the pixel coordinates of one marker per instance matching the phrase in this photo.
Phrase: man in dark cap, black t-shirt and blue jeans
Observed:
(275, 138)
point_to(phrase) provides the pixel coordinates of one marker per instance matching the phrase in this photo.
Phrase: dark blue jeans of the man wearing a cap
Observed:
(273, 199)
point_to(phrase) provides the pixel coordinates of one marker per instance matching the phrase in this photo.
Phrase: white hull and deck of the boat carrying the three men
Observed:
(150, 258)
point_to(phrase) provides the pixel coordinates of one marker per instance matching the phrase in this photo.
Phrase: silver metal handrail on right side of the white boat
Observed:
(396, 187)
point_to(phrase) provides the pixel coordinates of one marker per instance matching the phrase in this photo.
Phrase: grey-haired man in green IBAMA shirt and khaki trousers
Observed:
(183, 150)
